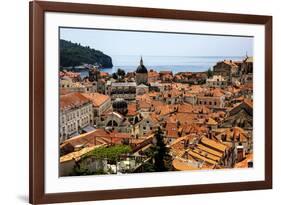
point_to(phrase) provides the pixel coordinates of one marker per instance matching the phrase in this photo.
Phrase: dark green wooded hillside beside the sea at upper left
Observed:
(73, 54)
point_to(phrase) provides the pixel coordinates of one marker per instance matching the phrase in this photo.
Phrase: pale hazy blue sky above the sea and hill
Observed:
(115, 43)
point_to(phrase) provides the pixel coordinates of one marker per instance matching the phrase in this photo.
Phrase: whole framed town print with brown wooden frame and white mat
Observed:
(139, 102)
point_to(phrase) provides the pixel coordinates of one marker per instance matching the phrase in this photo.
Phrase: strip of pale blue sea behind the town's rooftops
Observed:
(176, 64)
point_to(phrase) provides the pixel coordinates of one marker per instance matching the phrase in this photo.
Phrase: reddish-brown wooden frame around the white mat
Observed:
(37, 104)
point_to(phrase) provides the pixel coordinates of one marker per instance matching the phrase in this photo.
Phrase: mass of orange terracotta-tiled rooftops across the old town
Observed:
(199, 136)
